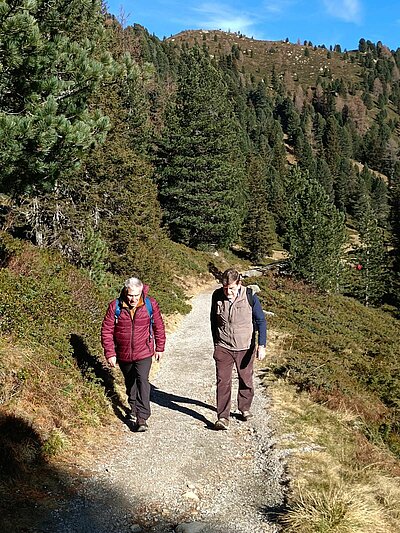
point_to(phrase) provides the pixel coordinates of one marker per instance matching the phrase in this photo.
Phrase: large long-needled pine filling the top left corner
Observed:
(52, 61)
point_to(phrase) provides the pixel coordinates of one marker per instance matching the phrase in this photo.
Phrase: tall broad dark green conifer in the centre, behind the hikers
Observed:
(199, 164)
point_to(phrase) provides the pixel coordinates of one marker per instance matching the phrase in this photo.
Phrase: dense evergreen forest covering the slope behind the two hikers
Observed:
(114, 143)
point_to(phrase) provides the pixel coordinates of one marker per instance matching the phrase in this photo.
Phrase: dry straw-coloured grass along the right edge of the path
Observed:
(341, 482)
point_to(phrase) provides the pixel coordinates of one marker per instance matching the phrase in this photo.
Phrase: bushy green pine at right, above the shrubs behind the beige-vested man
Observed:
(316, 233)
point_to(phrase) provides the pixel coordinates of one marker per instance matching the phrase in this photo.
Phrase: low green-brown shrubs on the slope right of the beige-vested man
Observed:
(340, 352)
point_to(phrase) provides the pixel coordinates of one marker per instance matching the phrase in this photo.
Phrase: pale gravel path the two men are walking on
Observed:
(182, 475)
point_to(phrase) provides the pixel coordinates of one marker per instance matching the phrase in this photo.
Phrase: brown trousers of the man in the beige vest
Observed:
(243, 360)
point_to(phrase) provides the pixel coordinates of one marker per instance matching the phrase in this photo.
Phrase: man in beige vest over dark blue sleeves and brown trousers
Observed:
(236, 315)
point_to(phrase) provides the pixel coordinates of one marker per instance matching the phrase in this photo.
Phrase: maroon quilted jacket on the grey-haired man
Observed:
(129, 339)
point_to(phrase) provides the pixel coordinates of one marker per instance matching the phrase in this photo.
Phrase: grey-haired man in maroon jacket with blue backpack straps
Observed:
(131, 334)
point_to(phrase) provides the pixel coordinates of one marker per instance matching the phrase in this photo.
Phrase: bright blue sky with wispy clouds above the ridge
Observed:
(326, 22)
